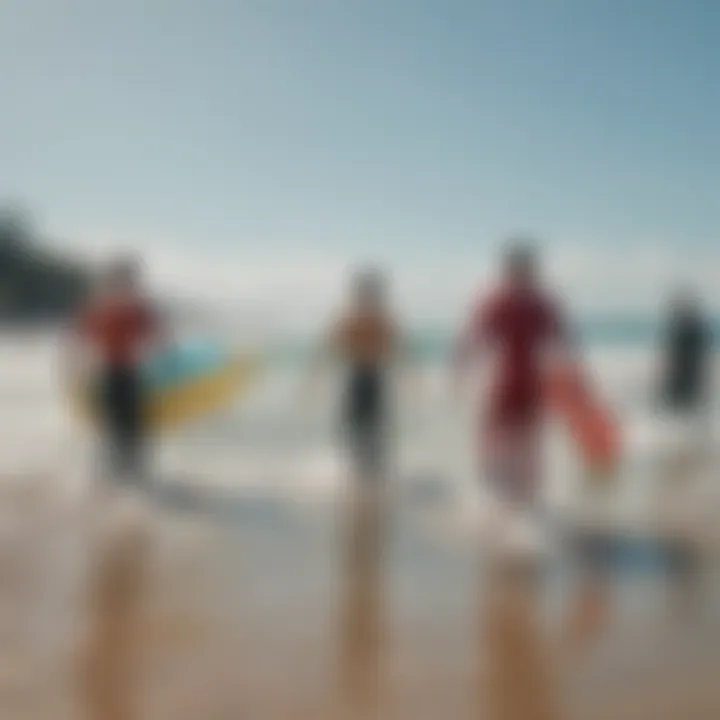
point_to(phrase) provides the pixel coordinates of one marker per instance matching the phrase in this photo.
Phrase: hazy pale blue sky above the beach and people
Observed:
(417, 132)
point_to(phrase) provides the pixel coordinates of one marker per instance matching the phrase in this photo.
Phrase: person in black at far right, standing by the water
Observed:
(684, 384)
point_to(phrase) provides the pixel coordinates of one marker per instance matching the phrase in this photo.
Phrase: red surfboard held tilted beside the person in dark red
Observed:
(589, 422)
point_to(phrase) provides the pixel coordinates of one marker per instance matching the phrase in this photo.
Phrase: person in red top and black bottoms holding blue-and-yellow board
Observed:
(115, 331)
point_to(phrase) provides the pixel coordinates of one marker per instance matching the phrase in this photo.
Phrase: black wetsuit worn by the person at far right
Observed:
(687, 351)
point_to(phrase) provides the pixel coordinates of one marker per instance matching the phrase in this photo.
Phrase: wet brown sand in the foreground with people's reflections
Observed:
(119, 608)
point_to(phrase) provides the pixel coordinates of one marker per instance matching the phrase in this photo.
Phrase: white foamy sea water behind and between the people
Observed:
(274, 441)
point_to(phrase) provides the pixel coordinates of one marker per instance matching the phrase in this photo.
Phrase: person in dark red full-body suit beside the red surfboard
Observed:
(517, 323)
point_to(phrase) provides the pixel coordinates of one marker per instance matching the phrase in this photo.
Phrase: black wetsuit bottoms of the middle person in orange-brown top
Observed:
(365, 424)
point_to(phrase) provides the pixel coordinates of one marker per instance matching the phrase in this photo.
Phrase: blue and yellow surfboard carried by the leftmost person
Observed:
(185, 383)
